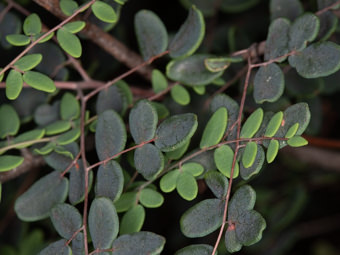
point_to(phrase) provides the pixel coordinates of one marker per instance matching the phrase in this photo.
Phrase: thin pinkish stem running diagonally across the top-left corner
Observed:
(45, 35)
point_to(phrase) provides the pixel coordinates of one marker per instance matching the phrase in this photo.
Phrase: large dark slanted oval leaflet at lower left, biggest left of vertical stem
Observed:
(37, 202)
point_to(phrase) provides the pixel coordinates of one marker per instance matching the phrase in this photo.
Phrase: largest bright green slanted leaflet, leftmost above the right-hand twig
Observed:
(215, 128)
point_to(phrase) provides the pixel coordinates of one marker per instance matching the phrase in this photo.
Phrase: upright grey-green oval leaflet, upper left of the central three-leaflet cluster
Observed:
(143, 120)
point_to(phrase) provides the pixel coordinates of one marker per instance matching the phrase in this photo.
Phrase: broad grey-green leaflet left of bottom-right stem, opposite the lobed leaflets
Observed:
(200, 220)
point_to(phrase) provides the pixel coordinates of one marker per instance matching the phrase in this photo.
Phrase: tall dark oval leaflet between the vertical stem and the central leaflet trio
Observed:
(110, 134)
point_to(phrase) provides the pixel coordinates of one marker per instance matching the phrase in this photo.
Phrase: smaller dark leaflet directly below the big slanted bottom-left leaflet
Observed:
(66, 220)
